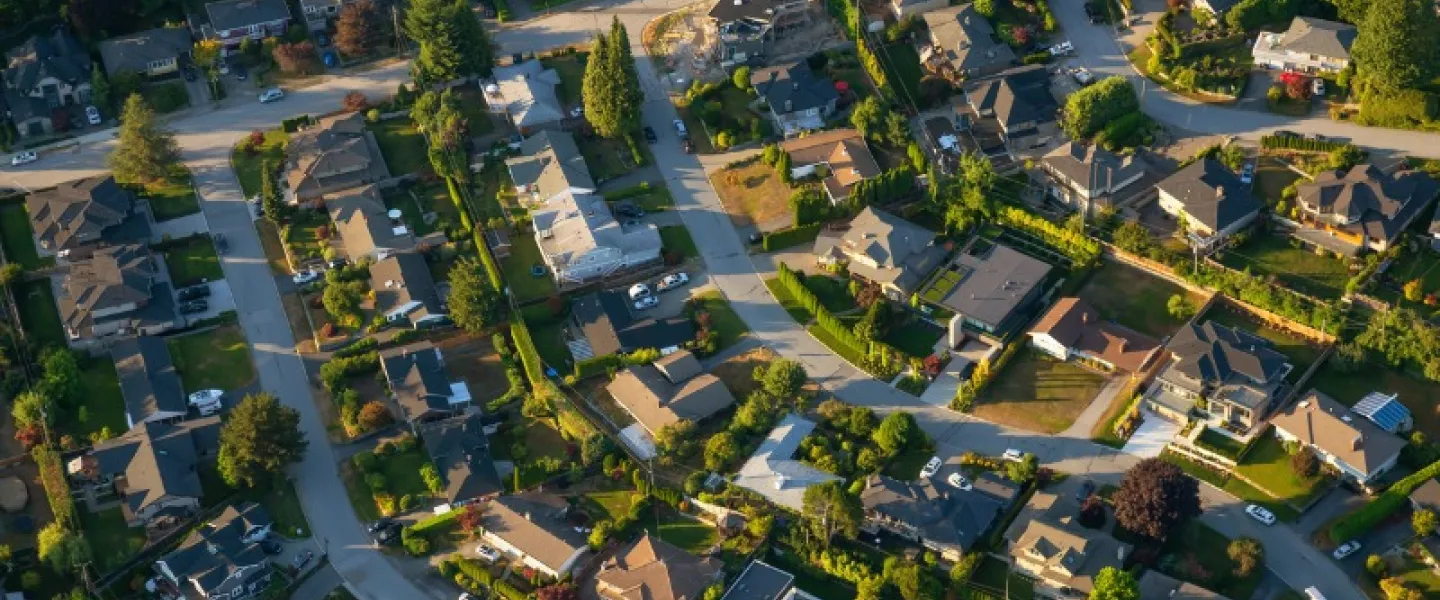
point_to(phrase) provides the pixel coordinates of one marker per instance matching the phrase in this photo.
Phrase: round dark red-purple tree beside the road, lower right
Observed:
(1156, 499)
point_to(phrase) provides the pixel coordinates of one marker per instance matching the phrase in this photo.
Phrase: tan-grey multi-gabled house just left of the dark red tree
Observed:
(1065, 558)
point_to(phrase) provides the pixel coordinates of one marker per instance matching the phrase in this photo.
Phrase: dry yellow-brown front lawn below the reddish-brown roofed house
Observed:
(1039, 394)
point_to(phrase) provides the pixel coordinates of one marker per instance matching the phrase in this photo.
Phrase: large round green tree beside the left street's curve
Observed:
(260, 440)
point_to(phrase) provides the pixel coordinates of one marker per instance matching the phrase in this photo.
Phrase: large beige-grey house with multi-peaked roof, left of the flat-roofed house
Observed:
(883, 250)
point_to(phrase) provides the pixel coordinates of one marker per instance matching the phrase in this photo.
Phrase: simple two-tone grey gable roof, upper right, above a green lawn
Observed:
(1212, 194)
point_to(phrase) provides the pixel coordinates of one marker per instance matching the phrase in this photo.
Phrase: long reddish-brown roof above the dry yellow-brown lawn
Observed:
(1074, 323)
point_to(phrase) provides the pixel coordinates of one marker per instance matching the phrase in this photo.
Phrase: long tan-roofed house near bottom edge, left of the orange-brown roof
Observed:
(535, 530)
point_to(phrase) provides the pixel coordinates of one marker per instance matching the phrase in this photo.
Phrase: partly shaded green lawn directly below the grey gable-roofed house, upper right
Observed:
(1295, 268)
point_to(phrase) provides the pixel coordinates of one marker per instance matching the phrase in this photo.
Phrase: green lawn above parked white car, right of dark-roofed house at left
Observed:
(217, 359)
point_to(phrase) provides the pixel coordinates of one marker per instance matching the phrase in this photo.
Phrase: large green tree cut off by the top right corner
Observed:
(1395, 45)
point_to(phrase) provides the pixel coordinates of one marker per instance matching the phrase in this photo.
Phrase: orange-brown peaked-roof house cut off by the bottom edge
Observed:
(656, 571)
